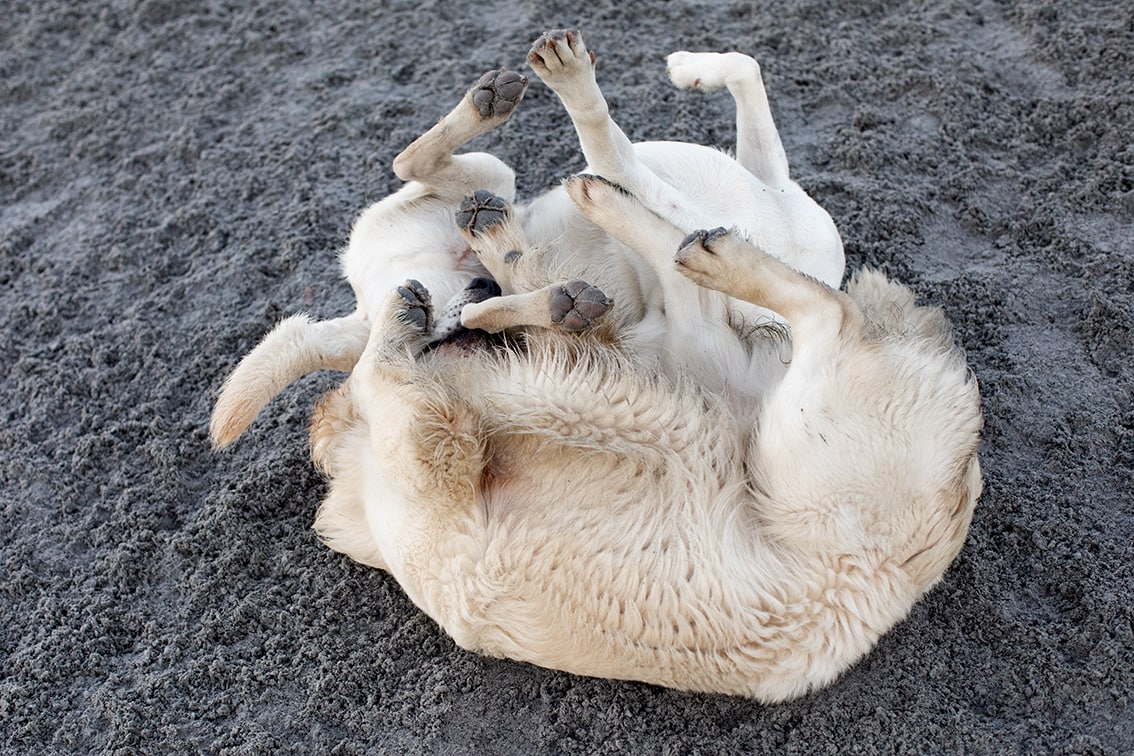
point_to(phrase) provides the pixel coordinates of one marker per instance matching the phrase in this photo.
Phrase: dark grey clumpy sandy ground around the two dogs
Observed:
(177, 177)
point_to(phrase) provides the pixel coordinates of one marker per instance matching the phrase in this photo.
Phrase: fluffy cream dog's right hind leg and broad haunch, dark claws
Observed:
(868, 445)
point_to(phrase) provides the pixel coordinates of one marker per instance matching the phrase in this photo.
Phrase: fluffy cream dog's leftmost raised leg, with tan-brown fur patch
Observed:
(430, 451)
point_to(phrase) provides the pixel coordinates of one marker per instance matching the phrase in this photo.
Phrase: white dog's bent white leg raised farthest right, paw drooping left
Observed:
(759, 149)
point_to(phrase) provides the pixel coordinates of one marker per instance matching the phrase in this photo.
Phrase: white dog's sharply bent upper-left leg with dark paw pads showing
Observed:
(430, 159)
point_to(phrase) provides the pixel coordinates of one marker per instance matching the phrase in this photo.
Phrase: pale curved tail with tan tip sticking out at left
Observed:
(291, 351)
